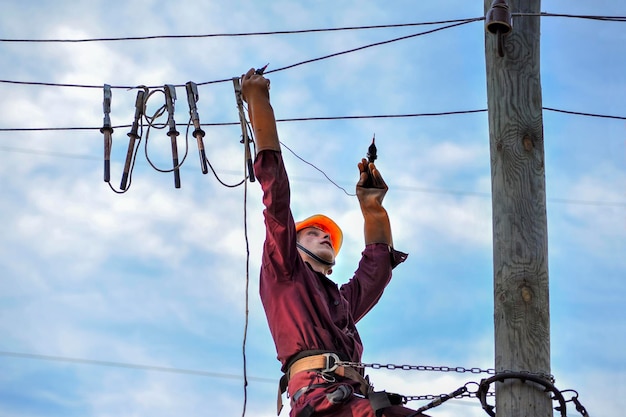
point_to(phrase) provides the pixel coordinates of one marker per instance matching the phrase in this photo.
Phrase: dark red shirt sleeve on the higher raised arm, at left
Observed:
(279, 250)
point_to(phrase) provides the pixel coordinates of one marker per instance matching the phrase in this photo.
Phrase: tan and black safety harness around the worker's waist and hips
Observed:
(329, 363)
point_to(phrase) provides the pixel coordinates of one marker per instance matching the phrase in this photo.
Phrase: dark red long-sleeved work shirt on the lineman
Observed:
(306, 310)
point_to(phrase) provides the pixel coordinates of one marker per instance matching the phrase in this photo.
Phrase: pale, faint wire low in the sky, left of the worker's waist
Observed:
(130, 366)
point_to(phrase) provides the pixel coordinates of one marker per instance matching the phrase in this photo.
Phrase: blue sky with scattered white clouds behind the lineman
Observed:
(137, 304)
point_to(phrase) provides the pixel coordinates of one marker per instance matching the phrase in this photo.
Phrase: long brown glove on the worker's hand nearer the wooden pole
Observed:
(377, 227)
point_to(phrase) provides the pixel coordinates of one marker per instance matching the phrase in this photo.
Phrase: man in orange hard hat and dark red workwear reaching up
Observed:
(311, 319)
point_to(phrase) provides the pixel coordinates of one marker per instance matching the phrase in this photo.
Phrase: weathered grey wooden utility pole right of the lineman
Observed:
(521, 299)
